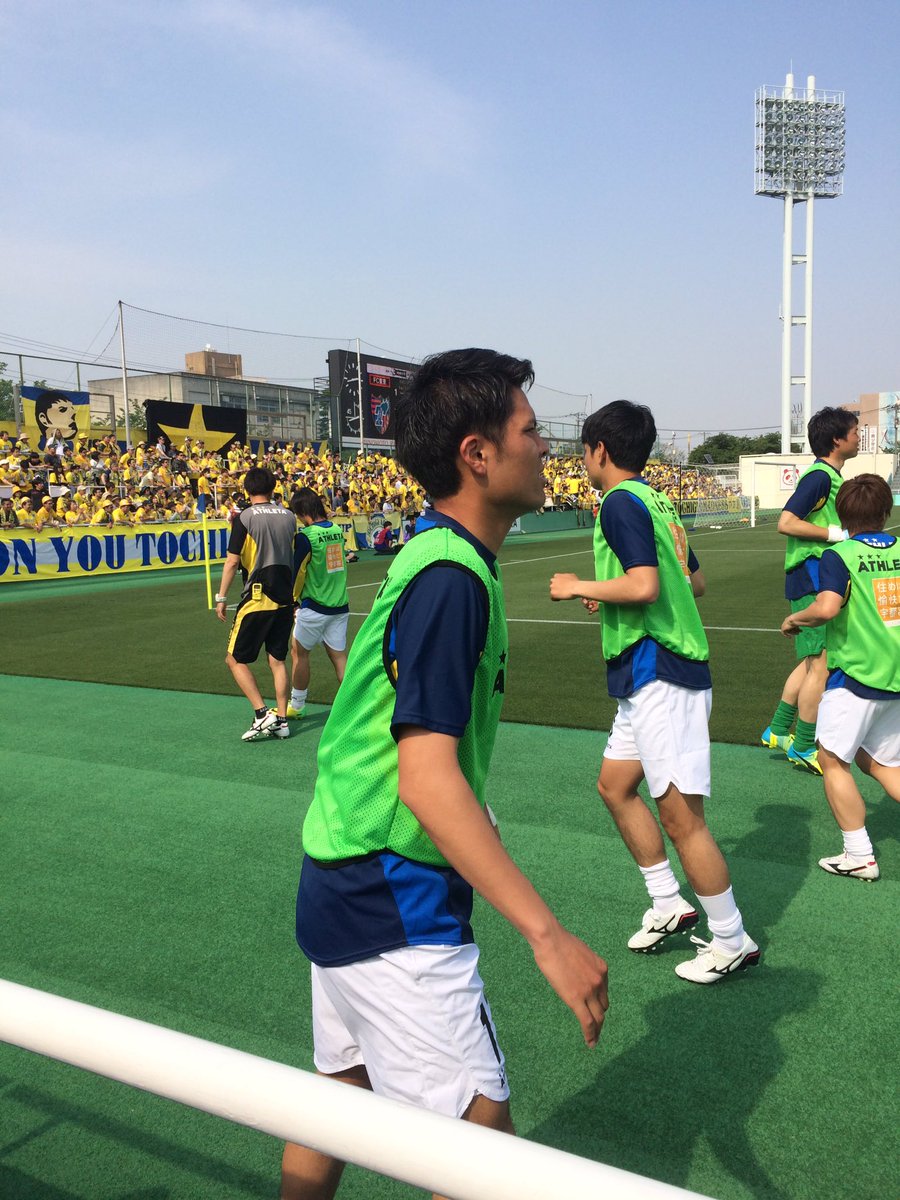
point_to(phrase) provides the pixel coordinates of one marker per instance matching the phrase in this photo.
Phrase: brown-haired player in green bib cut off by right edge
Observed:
(859, 607)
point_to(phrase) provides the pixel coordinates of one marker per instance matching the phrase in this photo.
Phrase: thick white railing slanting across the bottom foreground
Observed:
(451, 1157)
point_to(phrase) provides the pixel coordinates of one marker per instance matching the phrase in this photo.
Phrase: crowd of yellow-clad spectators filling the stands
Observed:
(94, 482)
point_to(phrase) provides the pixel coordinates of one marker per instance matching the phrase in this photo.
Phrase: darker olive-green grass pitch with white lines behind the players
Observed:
(155, 632)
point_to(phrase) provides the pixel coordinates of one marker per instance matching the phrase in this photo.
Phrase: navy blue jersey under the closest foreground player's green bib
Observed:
(358, 909)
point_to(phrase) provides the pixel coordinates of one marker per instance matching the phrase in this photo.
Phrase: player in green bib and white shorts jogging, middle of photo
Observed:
(658, 669)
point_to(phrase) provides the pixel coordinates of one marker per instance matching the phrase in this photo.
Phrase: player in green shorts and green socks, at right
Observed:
(811, 524)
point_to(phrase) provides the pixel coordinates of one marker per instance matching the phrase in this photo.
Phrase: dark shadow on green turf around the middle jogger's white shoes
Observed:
(709, 1053)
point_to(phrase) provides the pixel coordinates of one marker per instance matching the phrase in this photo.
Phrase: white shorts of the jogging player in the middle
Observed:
(665, 729)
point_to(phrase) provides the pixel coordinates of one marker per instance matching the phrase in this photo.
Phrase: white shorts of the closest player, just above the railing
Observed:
(418, 1021)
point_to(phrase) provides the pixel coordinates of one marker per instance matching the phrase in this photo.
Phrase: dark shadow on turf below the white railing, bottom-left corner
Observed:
(51, 1113)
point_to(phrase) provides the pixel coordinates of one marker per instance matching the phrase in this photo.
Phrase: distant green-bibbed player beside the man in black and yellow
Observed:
(321, 587)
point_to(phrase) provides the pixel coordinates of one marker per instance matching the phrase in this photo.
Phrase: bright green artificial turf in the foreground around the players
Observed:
(149, 863)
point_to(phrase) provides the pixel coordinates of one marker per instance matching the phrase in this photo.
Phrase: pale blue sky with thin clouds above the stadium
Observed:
(569, 182)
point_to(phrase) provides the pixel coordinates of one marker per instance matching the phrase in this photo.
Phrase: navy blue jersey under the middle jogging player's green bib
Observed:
(628, 529)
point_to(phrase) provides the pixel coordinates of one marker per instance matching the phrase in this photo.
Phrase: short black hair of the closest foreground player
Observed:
(452, 397)
